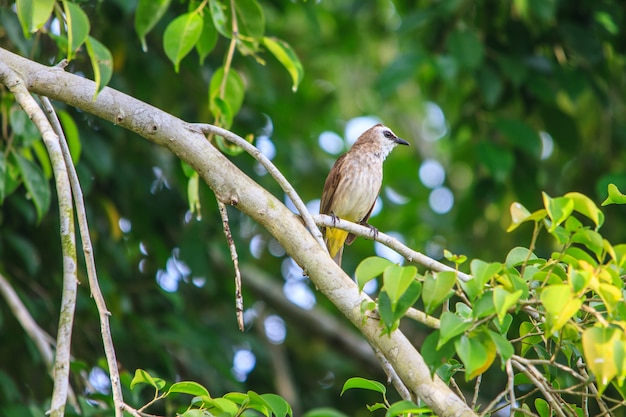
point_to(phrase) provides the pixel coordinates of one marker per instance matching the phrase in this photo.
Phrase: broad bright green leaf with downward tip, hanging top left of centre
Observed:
(181, 36)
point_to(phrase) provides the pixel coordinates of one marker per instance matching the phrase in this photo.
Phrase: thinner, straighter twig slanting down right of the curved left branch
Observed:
(92, 275)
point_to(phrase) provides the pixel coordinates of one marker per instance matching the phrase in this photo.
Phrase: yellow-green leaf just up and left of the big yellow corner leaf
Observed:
(560, 304)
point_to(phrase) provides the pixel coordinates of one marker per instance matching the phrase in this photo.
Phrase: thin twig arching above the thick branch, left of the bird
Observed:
(271, 169)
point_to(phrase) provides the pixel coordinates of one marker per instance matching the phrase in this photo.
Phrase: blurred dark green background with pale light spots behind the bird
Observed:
(500, 100)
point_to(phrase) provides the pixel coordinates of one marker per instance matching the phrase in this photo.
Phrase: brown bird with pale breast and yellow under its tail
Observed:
(353, 184)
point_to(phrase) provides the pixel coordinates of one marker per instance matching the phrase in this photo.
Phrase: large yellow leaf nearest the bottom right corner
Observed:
(599, 352)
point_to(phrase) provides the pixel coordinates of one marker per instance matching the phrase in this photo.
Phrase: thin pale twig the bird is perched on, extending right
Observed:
(408, 253)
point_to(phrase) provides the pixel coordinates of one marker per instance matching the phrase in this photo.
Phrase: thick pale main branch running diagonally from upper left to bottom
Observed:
(232, 186)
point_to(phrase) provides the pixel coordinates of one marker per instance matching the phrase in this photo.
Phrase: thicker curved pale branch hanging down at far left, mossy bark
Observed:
(67, 232)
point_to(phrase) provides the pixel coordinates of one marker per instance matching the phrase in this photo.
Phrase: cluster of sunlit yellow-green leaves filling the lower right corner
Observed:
(569, 309)
